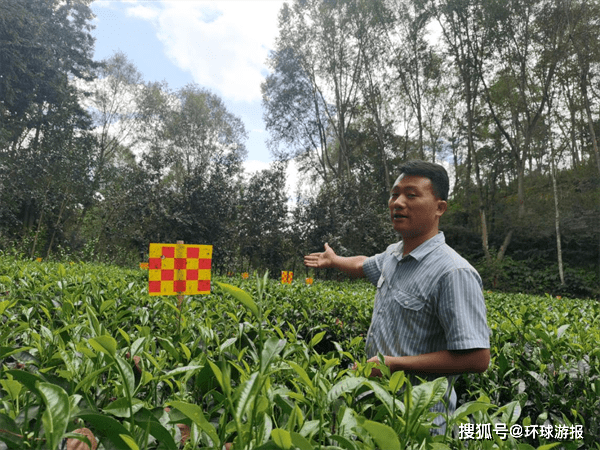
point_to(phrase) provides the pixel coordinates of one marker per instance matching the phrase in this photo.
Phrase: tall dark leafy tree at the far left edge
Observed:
(43, 46)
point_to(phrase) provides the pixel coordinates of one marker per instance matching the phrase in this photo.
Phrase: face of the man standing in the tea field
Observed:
(414, 208)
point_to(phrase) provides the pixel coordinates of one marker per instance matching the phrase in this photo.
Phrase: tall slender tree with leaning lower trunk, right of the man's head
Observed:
(529, 39)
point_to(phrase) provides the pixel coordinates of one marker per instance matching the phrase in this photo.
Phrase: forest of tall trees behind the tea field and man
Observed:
(96, 163)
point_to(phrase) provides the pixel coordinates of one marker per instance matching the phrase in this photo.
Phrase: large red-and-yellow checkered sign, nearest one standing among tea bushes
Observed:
(178, 269)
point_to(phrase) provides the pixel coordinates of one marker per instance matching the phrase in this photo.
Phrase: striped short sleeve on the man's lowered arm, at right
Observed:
(462, 310)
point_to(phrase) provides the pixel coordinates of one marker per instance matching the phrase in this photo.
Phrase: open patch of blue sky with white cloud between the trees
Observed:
(219, 45)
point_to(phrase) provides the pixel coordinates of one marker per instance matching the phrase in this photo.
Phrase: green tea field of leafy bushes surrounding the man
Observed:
(261, 365)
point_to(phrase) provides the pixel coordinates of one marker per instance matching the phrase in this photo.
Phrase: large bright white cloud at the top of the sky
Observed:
(224, 44)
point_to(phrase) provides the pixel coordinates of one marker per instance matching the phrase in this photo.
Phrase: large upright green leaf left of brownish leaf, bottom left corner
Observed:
(57, 414)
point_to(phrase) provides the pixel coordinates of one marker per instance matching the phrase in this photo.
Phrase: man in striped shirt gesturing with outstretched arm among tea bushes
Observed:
(429, 317)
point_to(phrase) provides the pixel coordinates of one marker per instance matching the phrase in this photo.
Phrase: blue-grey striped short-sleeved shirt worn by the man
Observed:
(426, 301)
